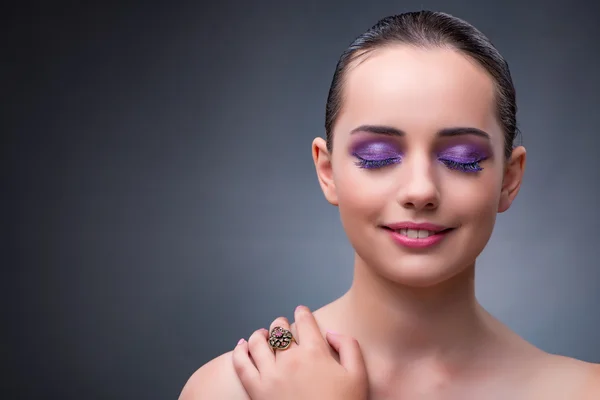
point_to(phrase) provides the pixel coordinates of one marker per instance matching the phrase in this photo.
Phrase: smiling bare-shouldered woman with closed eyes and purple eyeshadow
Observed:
(419, 157)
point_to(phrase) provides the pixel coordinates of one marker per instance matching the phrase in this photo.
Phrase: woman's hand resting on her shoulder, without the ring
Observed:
(305, 370)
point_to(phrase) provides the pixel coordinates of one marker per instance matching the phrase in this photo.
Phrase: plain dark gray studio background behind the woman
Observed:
(160, 199)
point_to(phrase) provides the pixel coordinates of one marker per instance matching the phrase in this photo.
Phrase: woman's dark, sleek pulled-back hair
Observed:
(429, 29)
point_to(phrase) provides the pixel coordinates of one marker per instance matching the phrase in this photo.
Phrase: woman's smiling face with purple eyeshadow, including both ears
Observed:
(417, 141)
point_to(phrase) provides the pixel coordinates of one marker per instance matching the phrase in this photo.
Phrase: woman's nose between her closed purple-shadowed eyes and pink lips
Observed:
(418, 189)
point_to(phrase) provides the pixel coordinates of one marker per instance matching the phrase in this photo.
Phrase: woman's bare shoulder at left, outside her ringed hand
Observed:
(214, 380)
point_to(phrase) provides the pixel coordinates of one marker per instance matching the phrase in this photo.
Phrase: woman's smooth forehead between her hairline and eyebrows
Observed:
(418, 90)
